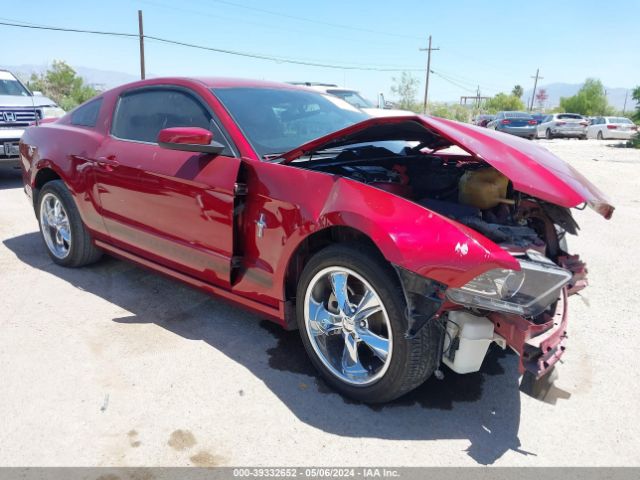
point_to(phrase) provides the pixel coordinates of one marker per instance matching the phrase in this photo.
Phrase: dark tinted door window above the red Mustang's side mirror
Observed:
(140, 115)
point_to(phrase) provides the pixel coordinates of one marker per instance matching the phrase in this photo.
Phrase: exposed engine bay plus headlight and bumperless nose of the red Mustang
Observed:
(469, 191)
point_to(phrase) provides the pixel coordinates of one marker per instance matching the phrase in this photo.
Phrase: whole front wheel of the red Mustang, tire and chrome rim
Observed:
(373, 377)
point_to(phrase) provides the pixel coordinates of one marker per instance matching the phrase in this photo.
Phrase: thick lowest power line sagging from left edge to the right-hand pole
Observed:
(258, 56)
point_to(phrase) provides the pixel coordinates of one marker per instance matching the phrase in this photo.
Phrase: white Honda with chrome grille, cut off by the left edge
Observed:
(19, 107)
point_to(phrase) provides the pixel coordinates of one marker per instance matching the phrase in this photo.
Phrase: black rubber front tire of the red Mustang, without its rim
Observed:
(412, 360)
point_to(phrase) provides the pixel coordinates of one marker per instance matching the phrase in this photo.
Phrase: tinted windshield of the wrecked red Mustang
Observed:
(278, 120)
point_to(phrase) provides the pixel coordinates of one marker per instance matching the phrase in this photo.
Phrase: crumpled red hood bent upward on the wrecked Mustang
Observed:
(531, 168)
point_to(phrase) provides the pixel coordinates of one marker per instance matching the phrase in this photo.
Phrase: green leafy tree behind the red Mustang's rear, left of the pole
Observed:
(61, 83)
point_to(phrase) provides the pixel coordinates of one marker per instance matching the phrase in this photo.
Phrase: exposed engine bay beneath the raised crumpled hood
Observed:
(467, 191)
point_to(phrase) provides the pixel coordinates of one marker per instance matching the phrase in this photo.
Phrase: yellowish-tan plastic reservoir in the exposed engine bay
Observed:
(483, 188)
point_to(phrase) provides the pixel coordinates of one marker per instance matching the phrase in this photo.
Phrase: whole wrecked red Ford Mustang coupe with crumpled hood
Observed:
(388, 253)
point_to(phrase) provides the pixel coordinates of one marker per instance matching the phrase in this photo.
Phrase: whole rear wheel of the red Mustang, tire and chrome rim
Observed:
(66, 238)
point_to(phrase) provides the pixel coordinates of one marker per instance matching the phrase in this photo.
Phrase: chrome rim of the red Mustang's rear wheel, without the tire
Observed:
(54, 223)
